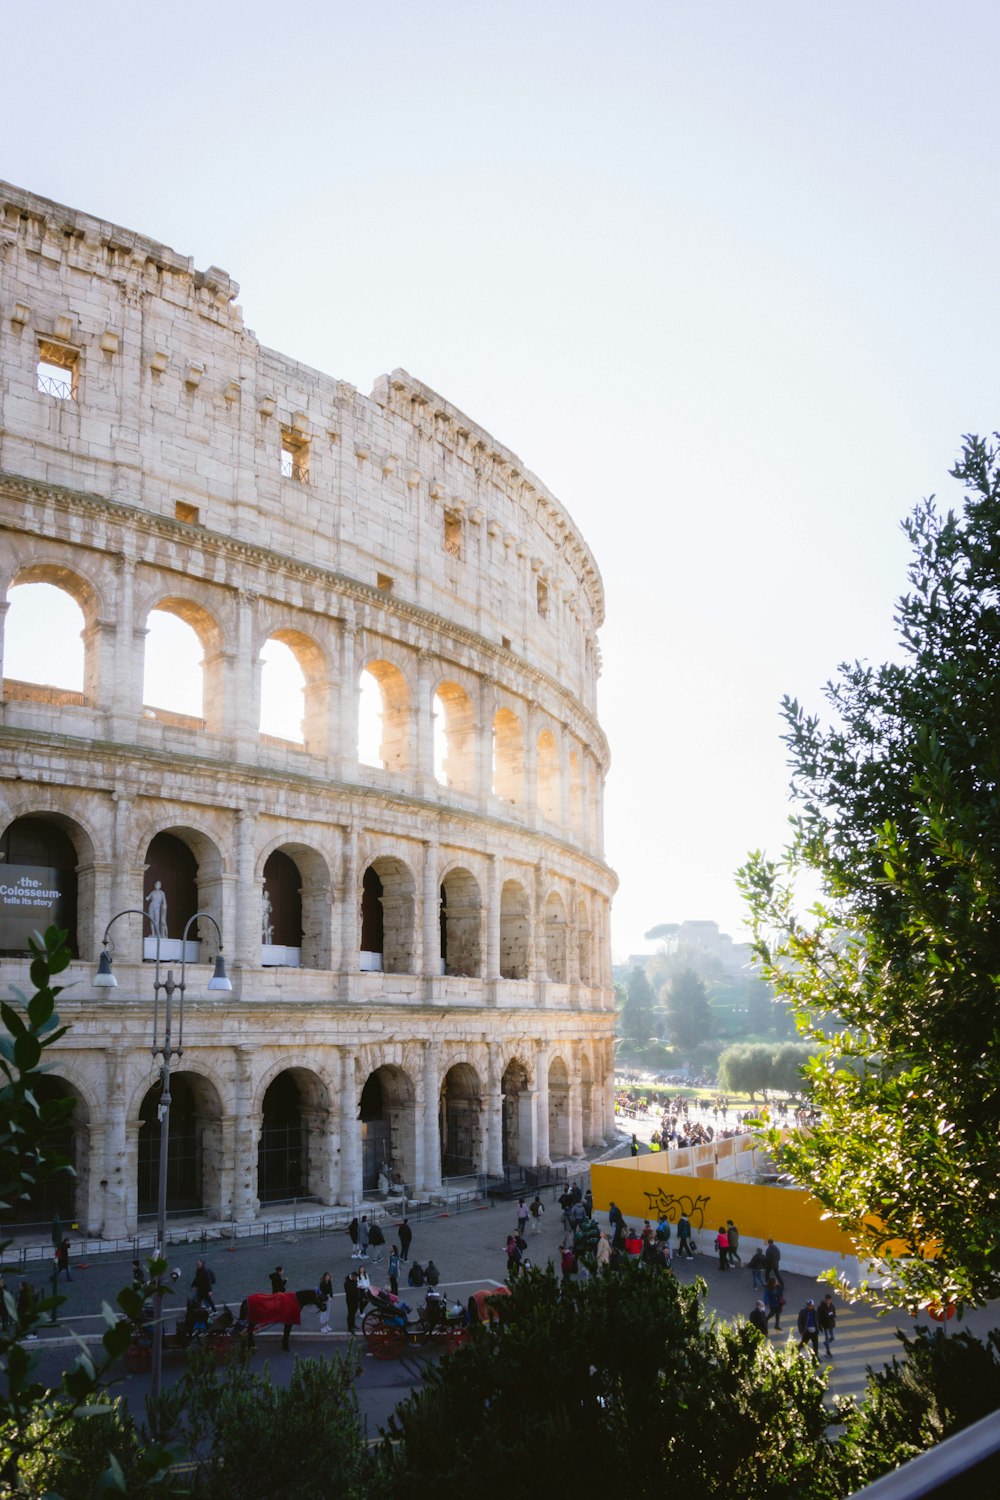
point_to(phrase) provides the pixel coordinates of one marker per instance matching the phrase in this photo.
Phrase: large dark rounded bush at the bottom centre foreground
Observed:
(615, 1381)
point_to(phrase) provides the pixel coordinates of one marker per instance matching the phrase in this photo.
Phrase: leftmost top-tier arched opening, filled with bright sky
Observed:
(44, 646)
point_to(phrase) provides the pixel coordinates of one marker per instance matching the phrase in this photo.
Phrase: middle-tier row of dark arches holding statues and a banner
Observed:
(392, 919)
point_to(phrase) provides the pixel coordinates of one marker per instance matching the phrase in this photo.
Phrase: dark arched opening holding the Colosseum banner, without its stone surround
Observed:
(40, 872)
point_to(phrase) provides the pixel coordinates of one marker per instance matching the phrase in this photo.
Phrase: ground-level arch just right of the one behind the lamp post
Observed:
(295, 1136)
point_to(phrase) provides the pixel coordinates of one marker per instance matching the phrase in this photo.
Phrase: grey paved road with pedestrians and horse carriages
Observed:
(469, 1250)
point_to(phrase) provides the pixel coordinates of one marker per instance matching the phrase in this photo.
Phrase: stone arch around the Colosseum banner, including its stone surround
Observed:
(46, 853)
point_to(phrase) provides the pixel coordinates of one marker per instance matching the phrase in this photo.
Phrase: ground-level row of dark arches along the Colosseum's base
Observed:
(302, 1142)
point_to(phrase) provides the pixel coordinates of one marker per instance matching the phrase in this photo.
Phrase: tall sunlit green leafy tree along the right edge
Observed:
(899, 811)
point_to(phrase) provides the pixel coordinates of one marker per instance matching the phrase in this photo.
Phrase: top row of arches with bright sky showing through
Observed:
(409, 718)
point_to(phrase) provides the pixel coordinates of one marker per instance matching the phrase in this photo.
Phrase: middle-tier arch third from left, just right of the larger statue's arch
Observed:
(296, 905)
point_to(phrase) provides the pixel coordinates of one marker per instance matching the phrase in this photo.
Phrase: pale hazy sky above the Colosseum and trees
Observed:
(725, 275)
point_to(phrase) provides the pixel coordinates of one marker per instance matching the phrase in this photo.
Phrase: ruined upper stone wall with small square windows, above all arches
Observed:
(179, 410)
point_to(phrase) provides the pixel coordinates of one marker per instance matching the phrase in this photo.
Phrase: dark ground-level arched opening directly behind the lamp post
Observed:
(194, 1150)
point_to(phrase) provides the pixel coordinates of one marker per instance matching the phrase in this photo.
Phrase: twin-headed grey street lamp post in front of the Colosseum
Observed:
(164, 1048)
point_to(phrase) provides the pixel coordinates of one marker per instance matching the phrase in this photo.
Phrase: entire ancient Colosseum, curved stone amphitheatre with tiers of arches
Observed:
(416, 926)
